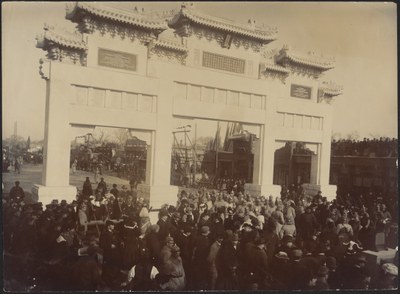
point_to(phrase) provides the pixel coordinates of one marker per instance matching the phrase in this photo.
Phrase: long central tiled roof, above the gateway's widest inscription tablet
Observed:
(261, 34)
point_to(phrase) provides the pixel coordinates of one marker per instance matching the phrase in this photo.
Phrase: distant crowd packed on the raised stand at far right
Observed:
(382, 147)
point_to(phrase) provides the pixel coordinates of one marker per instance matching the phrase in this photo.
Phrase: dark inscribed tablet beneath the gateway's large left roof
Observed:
(116, 59)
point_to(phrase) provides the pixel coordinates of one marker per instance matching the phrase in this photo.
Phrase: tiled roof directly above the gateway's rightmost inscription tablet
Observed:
(310, 59)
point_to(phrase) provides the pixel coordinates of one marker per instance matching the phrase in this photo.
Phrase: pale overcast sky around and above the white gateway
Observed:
(361, 36)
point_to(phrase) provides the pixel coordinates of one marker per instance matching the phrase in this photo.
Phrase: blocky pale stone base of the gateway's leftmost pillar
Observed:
(47, 194)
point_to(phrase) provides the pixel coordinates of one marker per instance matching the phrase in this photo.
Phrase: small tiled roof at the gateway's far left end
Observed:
(61, 37)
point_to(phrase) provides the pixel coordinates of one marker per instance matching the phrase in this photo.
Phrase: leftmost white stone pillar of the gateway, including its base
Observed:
(56, 157)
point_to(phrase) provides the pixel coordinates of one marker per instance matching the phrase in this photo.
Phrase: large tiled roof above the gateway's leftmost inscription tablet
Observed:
(117, 14)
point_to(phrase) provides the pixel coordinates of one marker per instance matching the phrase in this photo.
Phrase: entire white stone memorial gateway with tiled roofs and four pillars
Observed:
(137, 70)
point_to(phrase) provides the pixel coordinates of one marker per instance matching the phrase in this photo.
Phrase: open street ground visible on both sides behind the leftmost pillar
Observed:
(32, 174)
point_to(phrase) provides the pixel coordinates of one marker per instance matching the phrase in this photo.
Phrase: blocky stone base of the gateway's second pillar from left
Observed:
(158, 195)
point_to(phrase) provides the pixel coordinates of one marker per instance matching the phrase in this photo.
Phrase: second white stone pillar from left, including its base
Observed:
(157, 187)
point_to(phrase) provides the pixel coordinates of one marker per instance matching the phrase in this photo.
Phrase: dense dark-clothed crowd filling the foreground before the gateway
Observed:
(209, 240)
